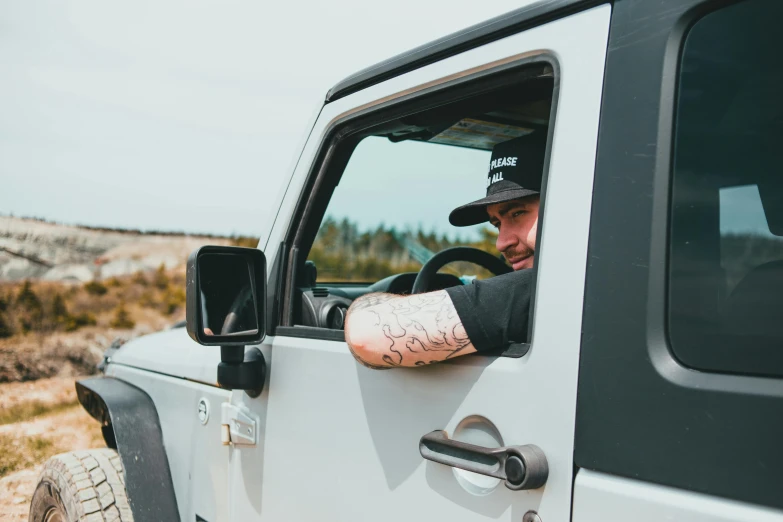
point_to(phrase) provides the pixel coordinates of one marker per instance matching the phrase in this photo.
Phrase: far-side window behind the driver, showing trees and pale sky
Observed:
(390, 212)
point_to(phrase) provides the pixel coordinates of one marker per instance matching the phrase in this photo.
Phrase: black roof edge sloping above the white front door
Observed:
(455, 43)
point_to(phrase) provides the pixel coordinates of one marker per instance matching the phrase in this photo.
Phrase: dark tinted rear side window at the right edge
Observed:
(726, 250)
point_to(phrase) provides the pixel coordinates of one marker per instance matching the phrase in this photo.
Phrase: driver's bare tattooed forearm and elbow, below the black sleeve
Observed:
(387, 330)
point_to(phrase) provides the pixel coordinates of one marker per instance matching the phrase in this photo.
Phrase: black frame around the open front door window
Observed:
(336, 148)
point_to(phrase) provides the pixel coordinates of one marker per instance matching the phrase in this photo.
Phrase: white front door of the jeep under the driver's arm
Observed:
(338, 441)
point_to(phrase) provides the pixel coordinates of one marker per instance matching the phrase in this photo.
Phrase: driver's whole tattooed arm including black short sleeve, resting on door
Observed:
(387, 330)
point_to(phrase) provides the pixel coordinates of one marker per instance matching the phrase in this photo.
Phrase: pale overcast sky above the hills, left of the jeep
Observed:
(164, 115)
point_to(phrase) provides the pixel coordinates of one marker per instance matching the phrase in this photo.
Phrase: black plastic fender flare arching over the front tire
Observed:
(129, 414)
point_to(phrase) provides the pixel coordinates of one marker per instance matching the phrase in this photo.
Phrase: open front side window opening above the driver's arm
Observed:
(393, 186)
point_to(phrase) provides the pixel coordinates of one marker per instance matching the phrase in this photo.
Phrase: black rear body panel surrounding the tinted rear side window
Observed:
(640, 413)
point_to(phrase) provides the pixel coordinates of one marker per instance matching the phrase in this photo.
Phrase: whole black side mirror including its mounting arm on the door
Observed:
(226, 293)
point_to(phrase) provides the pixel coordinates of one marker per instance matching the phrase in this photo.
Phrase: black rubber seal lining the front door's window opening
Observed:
(352, 125)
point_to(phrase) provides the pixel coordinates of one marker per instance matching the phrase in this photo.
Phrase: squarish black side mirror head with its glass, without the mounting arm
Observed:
(226, 295)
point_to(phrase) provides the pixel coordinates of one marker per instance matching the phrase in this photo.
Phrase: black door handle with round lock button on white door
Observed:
(521, 467)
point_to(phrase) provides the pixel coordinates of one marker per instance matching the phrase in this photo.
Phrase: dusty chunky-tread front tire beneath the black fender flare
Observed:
(81, 486)
